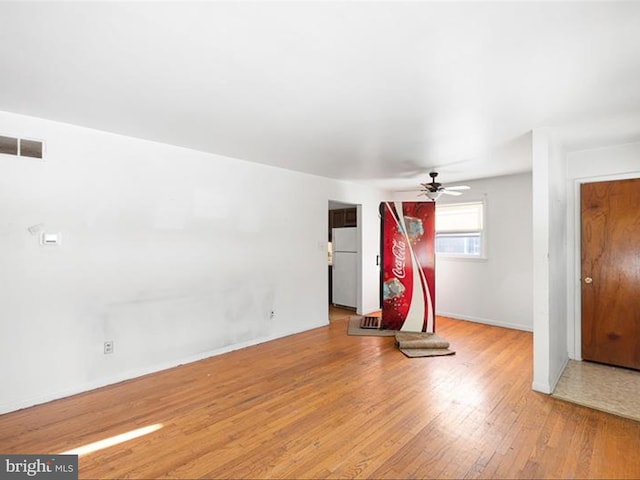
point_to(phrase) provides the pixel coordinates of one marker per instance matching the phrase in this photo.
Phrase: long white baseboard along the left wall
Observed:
(130, 374)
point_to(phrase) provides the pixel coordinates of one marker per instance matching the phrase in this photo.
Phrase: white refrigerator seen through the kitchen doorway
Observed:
(345, 266)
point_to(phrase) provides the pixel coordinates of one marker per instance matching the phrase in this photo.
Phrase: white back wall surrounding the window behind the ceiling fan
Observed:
(496, 290)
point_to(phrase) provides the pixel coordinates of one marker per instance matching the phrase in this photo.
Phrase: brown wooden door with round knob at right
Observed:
(611, 272)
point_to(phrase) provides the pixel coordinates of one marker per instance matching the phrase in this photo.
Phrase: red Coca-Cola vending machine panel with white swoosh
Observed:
(407, 283)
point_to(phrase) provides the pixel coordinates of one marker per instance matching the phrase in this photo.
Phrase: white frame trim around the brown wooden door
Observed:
(574, 270)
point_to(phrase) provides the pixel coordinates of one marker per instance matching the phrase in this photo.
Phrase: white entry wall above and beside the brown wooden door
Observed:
(601, 164)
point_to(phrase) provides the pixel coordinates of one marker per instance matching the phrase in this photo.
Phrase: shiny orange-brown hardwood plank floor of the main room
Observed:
(322, 404)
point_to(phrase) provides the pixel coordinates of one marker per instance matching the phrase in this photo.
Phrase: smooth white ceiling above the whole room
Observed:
(378, 92)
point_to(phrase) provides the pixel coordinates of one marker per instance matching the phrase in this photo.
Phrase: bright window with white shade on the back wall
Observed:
(460, 230)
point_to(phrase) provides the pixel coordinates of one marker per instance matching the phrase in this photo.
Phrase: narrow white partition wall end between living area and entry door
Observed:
(549, 261)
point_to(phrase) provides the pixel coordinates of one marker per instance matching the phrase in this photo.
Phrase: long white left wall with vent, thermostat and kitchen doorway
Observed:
(171, 253)
